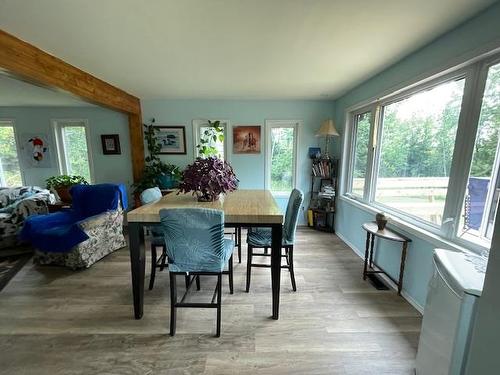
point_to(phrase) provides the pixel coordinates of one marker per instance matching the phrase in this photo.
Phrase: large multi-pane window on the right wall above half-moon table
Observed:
(430, 154)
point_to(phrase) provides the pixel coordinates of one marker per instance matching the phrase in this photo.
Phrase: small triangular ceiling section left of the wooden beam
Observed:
(15, 93)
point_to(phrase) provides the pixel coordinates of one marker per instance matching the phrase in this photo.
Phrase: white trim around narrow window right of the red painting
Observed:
(269, 124)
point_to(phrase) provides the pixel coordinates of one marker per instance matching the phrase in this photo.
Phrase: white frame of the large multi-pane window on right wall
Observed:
(475, 74)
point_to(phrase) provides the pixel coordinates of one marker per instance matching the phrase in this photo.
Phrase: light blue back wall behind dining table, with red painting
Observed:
(248, 168)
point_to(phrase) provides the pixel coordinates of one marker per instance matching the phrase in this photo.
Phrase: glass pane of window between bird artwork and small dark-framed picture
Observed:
(75, 146)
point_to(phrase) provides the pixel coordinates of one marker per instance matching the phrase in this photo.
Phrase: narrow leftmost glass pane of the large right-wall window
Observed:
(361, 142)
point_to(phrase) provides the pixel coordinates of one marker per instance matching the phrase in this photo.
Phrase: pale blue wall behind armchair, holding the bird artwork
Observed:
(107, 168)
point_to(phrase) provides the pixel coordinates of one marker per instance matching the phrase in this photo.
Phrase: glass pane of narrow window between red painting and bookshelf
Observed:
(282, 151)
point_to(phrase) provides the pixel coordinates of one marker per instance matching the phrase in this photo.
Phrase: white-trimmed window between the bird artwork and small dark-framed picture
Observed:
(73, 148)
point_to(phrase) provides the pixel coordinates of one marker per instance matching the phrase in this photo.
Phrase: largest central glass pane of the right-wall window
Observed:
(418, 138)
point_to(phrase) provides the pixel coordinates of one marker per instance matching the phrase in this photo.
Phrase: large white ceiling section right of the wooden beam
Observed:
(266, 49)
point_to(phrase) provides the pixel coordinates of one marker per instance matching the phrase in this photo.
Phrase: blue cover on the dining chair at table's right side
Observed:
(261, 237)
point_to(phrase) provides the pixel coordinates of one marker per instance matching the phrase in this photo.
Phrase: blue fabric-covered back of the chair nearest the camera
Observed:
(194, 238)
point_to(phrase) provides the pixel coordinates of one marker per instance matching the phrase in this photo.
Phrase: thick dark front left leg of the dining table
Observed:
(137, 264)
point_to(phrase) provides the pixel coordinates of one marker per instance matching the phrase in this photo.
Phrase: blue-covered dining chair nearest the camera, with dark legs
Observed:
(196, 246)
